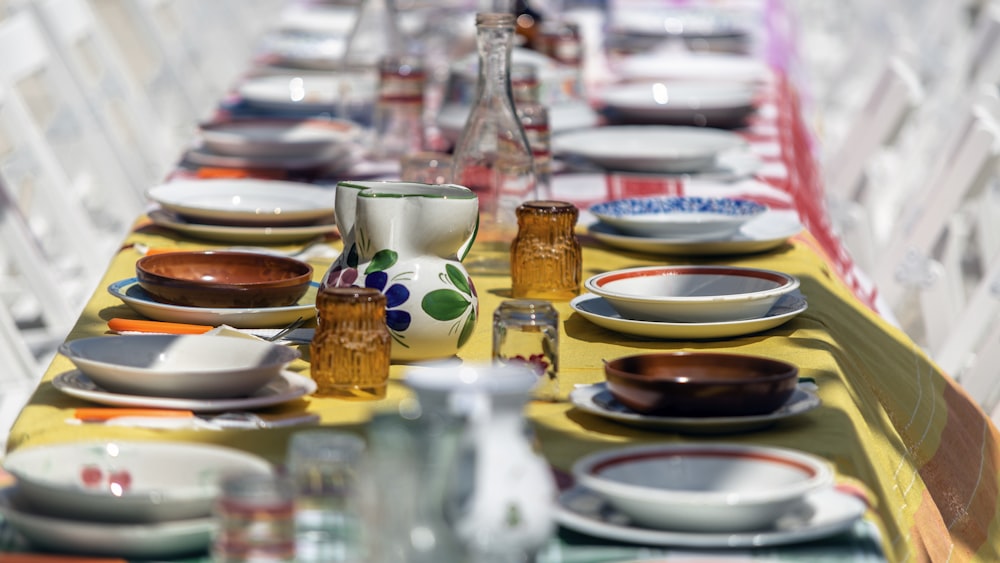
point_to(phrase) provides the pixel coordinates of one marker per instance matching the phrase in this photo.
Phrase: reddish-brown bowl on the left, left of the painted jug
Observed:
(223, 280)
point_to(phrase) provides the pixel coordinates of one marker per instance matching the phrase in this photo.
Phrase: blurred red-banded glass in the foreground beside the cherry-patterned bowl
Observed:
(256, 519)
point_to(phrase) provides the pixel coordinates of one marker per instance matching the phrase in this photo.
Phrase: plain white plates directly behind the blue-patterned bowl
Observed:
(661, 150)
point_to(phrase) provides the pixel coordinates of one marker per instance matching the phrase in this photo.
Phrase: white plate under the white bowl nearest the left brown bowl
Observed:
(288, 386)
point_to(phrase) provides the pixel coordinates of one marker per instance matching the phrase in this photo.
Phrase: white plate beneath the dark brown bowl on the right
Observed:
(597, 399)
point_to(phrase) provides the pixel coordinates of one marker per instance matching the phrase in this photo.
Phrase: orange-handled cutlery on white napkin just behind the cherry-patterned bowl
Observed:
(180, 419)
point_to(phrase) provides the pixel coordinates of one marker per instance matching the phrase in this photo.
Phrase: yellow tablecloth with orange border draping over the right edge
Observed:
(891, 422)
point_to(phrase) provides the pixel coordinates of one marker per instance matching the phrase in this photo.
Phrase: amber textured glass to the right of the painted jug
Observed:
(546, 259)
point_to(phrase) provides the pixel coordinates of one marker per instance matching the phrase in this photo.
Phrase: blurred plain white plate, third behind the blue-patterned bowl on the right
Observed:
(691, 66)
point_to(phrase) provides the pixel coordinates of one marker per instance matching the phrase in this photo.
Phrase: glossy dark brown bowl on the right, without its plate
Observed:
(700, 384)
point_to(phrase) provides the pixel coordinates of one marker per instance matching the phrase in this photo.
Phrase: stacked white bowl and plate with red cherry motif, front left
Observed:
(119, 498)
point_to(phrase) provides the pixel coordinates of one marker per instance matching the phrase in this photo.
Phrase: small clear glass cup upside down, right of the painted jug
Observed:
(526, 331)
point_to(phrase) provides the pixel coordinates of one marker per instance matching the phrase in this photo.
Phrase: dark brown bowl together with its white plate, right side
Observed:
(697, 392)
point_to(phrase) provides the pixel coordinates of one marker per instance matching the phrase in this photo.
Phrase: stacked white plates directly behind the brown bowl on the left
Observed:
(244, 210)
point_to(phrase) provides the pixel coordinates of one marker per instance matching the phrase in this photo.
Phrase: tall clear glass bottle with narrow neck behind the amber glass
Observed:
(492, 156)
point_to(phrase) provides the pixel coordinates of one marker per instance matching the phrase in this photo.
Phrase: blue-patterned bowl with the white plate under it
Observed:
(692, 225)
